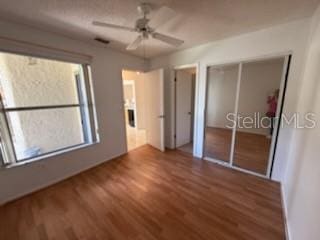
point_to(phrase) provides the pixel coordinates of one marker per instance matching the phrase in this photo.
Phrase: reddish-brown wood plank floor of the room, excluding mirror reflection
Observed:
(148, 194)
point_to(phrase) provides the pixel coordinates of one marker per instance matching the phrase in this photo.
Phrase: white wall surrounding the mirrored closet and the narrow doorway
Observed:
(267, 42)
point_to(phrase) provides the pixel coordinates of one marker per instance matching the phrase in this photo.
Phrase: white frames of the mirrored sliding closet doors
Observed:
(283, 83)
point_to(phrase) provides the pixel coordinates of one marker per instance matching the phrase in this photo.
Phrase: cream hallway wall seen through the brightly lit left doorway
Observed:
(139, 82)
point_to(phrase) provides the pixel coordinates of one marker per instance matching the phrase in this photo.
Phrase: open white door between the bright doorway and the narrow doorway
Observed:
(154, 88)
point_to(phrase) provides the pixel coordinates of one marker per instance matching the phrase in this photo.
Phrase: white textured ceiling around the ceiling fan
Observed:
(196, 22)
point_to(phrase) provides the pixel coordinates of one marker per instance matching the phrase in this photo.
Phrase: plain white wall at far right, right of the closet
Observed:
(301, 184)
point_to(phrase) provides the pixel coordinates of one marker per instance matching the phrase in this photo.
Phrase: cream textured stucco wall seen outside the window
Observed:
(32, 82)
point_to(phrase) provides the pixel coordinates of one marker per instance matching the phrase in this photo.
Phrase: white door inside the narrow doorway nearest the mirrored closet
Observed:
(183, 107)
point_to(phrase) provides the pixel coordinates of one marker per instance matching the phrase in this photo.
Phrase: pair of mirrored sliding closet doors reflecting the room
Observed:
(243, 104)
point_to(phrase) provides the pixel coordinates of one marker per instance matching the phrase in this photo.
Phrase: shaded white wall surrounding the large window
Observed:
(107, 65)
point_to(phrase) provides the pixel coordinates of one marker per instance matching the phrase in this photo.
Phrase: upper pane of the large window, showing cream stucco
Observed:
(29, 81)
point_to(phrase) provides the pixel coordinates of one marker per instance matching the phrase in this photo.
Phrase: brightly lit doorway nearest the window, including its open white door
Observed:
(143, 108)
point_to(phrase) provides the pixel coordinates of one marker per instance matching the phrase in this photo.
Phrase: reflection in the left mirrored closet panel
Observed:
(221, 96)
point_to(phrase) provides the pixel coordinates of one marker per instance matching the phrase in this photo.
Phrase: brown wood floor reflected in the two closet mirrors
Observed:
(251, 151)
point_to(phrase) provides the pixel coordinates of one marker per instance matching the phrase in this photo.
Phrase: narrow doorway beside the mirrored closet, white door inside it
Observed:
(185, 80)
